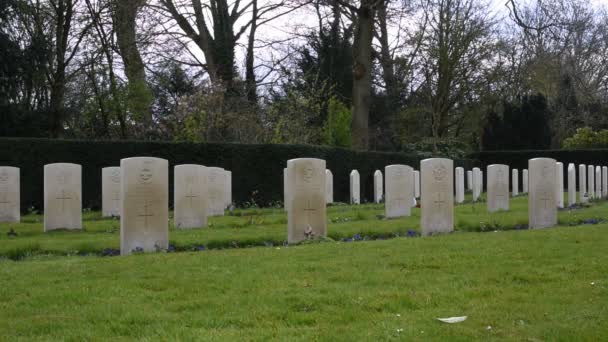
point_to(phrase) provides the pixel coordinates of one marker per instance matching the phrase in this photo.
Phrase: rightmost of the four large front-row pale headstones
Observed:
(542, 211)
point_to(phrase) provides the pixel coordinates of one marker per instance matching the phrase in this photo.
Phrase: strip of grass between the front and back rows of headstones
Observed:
(266, 227)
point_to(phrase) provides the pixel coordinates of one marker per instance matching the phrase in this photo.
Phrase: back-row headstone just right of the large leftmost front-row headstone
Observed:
(190, 196)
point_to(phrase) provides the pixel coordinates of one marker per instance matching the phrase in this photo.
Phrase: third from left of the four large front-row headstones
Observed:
(437, 196)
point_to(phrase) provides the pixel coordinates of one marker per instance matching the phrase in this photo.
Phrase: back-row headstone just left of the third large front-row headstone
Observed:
(399, 190)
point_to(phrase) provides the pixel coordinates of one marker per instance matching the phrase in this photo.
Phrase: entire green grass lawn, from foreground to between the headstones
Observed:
(531, 285)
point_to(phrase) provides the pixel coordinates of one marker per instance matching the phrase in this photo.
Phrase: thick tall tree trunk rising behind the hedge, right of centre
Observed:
(362, 80)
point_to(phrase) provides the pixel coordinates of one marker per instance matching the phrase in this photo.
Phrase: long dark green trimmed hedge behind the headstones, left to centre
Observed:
(257, 170)
